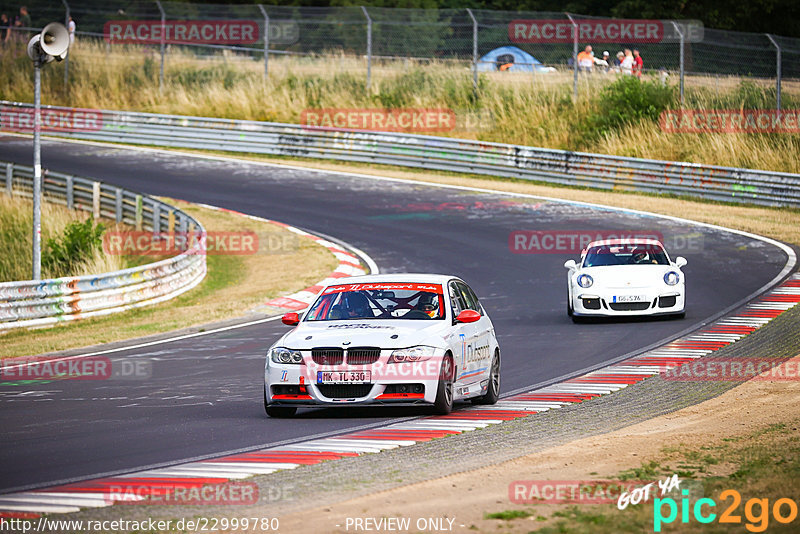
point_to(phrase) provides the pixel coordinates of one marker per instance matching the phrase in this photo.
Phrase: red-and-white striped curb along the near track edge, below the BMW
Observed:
(156, 482)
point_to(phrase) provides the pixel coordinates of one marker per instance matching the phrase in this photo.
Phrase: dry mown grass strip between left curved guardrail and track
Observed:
(234, 285)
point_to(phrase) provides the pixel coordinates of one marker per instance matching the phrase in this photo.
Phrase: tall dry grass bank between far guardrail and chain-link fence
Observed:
(507, 107)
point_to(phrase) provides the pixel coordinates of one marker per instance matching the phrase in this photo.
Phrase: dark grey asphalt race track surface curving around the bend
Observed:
(205, 393)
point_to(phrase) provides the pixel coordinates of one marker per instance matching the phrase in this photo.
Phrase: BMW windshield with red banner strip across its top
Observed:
(379, 301)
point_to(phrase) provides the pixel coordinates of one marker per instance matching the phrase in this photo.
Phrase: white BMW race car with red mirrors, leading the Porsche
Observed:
(385, 339)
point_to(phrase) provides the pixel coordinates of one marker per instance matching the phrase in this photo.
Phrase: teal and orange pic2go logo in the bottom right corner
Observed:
(757, 512)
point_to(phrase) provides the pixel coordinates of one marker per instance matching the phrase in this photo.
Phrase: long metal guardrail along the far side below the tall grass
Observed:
(420, 151)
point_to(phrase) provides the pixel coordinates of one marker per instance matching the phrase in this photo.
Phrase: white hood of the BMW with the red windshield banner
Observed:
(384, 333)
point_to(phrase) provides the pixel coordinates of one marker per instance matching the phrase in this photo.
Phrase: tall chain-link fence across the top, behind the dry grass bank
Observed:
(545, 42)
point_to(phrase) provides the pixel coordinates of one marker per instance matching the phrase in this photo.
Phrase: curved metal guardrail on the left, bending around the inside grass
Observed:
(44, 302)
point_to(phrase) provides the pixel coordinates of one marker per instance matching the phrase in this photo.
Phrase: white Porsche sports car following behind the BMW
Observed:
(618, 277)
